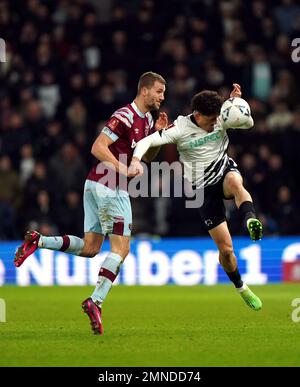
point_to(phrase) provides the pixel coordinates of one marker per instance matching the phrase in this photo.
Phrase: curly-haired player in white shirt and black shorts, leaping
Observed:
(202, 143)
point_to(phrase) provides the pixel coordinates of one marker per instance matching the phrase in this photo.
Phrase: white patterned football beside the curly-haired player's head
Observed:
(235, 112)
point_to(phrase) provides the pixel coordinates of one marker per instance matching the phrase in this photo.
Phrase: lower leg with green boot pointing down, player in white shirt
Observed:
(221, 236)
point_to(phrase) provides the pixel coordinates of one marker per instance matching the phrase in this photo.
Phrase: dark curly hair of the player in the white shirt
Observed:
(207, 102)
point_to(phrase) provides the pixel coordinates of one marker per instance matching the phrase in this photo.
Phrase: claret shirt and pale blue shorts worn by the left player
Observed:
(107, 205)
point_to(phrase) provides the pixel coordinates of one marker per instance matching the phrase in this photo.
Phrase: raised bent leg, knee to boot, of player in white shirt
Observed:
(233, 187)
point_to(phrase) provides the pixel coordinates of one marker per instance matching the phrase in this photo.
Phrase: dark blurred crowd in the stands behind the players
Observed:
(71, 63)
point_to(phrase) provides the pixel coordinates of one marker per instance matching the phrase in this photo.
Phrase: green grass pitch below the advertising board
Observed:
(150, 326)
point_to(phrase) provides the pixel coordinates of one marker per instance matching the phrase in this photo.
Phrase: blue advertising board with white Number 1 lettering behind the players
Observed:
(188, 261)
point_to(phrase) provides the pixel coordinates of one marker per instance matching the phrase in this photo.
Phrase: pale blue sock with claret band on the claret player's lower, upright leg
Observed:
(108, 272)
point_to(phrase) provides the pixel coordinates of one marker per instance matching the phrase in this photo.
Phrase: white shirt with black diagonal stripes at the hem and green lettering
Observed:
(203, 154)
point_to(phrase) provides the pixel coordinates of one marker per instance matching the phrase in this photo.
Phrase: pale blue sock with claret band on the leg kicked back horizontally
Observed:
(68, 243)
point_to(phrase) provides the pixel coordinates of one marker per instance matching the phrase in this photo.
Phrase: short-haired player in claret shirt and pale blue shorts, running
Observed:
(107, 208)
